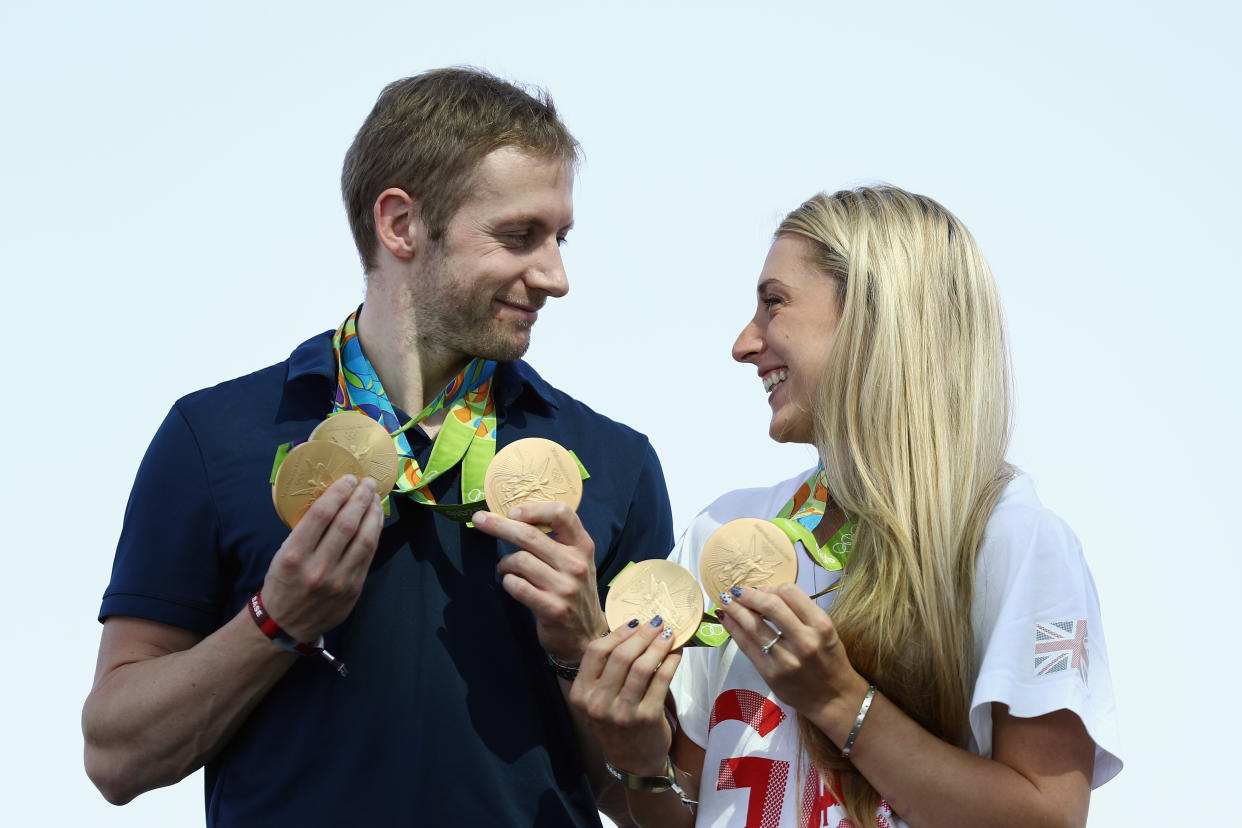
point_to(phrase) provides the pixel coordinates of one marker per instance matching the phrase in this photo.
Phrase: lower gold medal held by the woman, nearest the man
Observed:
(656, 588)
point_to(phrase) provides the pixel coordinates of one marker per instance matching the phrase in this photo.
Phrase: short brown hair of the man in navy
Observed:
(427, 136)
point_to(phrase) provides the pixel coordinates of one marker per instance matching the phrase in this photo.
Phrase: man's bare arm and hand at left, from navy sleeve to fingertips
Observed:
(165, 701)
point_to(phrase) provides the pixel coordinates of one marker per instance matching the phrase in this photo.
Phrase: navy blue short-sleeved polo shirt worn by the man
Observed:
(450, 716)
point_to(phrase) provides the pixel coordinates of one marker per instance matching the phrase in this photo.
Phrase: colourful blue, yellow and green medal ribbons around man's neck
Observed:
(469, 433)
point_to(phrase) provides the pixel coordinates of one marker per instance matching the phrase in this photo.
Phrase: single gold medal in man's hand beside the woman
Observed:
(532, 470)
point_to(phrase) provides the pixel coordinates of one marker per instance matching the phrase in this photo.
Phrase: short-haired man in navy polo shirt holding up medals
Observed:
(459, 189)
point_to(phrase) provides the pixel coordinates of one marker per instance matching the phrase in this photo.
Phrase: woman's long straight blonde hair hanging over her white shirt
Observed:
(912, 424)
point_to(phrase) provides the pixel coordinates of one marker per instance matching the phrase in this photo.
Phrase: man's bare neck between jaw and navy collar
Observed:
(413, 372)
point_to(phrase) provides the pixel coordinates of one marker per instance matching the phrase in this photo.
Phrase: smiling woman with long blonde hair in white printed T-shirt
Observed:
(959, 675)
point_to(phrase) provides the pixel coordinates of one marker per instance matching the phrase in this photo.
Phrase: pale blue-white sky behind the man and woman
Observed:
(173, 220)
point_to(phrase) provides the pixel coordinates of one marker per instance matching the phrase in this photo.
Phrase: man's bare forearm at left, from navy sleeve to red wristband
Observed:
(158, 713)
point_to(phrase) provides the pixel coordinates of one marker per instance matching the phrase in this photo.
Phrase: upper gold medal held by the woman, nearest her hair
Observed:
(747, 552)
